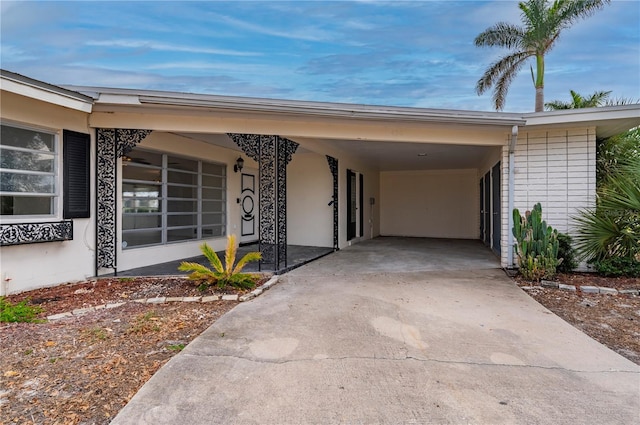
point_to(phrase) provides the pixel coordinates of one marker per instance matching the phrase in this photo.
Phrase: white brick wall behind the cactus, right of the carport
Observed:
(557, 168)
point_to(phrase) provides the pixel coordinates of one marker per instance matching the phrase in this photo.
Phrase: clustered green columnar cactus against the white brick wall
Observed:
(537, 244)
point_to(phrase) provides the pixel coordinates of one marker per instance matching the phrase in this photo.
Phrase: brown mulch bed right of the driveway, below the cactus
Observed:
(613, 320)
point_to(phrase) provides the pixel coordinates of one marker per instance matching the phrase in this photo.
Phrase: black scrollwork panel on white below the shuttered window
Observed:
(26, 233)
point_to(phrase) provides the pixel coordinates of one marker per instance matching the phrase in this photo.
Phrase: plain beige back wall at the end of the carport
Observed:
(436, 204)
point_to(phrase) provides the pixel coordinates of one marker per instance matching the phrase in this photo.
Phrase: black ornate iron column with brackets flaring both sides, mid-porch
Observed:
(272, 153)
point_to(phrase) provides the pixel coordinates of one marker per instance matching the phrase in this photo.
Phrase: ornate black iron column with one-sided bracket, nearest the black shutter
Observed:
(112, 143)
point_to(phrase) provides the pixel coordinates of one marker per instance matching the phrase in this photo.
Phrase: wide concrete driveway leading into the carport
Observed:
(368, 335)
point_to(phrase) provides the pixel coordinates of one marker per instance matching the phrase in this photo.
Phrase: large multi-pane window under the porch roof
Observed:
(168, 198)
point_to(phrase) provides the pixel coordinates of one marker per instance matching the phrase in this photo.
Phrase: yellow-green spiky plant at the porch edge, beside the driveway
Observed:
(223, 275)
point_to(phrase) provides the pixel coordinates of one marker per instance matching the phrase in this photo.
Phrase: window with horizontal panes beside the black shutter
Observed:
(28, 172)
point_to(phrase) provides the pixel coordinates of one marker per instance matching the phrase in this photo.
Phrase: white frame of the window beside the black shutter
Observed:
(56, 200)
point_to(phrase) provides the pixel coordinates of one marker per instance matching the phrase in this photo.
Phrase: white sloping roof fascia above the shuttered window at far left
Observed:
(38, 90)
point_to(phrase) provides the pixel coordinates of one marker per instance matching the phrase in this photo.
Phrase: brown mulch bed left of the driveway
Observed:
(83, 370)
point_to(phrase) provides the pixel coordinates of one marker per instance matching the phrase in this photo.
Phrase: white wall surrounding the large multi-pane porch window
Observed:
(171, 143)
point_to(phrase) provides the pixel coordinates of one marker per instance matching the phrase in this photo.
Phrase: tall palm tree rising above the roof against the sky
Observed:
(542, 23)
